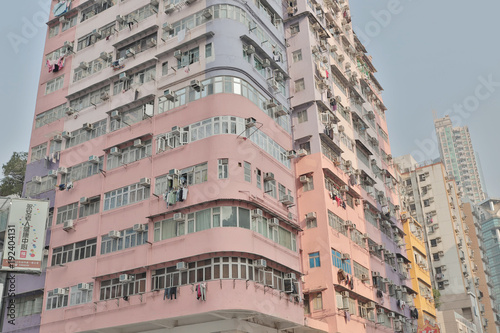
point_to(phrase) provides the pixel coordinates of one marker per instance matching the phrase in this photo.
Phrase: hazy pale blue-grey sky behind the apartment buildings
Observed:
(431, 55)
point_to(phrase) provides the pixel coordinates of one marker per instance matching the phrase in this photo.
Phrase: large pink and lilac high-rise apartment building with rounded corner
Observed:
(205, 176)
